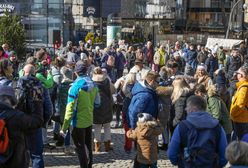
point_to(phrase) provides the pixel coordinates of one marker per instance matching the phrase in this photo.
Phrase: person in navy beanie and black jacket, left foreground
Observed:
(18, 125)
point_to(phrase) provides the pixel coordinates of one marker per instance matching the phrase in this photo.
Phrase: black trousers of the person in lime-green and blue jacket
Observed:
(82, 138)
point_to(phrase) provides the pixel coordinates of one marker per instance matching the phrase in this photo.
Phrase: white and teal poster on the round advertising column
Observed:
(113, 33)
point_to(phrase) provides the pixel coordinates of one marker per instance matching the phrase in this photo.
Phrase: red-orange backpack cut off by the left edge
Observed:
(5, 144)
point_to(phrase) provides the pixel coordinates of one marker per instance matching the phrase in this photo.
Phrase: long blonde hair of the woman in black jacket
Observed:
(180, 87)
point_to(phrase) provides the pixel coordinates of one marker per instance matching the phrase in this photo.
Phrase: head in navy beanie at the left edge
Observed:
(7, 95)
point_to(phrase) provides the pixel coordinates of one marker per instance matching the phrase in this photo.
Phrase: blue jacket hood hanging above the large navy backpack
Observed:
(202, 120)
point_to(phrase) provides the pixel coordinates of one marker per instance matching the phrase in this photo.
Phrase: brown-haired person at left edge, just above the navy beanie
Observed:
(6, 72)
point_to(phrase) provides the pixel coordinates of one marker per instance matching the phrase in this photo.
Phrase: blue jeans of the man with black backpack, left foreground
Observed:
(35, 145)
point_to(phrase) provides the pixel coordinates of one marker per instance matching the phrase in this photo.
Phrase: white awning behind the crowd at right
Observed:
(226, 43)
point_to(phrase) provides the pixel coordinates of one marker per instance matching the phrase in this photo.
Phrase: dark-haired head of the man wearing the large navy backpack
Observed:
(196, 104)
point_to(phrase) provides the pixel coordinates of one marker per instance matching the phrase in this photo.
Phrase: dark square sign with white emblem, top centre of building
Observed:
(91, 8)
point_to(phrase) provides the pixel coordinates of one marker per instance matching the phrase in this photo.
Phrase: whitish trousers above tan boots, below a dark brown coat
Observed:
(97, 133)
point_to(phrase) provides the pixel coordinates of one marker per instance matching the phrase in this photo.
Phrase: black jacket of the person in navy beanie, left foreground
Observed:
(17, 125)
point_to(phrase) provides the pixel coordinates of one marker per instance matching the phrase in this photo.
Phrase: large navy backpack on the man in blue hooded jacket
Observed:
(199, 146)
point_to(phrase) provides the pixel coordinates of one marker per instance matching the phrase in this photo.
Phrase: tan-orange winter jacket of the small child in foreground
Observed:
(146, 136)
